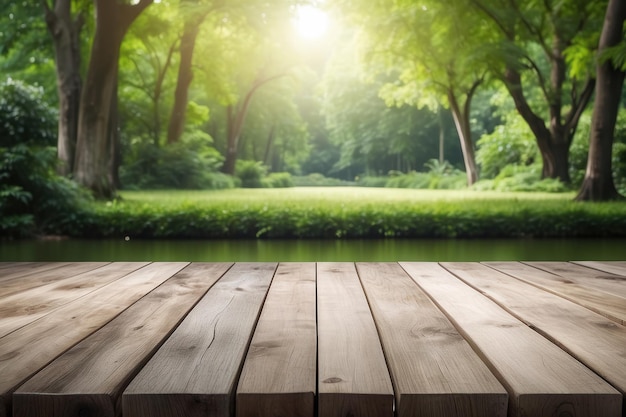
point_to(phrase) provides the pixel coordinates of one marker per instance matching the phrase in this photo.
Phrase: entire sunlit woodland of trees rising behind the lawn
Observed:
(149, 92)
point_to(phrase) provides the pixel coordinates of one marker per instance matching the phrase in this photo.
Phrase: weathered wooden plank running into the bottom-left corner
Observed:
(30, 348)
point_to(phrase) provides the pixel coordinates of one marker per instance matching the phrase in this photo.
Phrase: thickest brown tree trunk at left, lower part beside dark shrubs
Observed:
(93, 163)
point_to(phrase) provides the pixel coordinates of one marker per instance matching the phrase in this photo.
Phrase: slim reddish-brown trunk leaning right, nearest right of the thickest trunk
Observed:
(185, 76)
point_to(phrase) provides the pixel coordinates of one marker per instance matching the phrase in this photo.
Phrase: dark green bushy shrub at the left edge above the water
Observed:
(33, 198)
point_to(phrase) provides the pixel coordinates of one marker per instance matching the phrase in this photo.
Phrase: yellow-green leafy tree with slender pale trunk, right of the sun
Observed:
(426, 47)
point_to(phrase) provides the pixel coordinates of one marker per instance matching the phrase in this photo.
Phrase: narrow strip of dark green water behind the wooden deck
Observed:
(315, 250)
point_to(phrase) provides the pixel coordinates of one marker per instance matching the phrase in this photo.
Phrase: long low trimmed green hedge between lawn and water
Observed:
(438, 220)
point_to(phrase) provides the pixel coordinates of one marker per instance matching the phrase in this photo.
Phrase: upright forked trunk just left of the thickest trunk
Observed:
(65, 31)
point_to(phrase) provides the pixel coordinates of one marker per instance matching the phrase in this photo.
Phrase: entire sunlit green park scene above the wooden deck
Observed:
(312, 120)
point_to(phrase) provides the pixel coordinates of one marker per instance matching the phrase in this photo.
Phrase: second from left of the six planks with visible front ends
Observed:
(195, 372)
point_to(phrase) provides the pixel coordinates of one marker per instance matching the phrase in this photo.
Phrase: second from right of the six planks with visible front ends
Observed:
(434, 370)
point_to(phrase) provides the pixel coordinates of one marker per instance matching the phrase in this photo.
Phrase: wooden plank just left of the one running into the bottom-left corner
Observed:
(24, 307)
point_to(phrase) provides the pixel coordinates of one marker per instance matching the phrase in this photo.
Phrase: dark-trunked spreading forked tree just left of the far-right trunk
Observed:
(534, 68)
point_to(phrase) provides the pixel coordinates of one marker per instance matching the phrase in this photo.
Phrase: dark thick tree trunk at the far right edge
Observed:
(598, 184)
